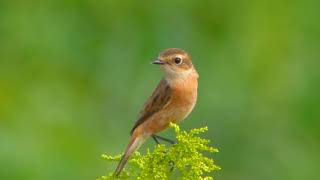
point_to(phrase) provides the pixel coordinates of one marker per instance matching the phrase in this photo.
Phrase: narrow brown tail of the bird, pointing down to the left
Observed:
(134, 144)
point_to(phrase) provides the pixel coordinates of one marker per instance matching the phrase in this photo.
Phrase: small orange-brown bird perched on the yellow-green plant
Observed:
(172, 100)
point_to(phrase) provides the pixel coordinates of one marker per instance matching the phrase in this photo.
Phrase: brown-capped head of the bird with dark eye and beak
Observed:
(175, 63)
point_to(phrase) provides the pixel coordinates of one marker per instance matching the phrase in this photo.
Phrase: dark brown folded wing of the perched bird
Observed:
(159, 99)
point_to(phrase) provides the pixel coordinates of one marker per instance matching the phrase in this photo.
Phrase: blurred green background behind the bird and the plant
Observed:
(74, 75)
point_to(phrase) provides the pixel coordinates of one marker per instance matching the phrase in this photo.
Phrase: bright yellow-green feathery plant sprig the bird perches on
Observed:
(184, 160)
